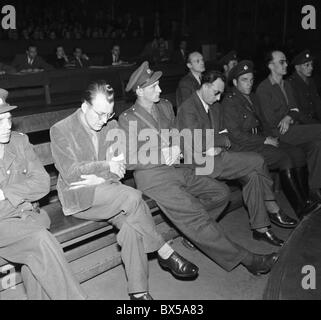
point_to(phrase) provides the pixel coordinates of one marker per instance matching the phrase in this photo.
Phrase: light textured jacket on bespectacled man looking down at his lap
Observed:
(75, 155)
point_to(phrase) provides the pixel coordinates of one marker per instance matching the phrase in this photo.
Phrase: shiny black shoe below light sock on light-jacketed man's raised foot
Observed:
(179, 266)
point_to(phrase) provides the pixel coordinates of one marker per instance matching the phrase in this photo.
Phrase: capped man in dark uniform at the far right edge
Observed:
(304, 88)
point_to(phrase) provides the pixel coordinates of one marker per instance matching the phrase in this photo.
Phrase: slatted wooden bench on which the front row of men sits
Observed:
(90, 246)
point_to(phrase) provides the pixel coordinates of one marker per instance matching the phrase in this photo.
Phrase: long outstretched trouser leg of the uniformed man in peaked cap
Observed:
(188, 214)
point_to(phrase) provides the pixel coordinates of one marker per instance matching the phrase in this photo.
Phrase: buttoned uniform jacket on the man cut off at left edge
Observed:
(23, 179)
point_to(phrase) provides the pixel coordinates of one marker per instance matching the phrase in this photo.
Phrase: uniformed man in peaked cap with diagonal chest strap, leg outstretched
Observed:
(182, 196)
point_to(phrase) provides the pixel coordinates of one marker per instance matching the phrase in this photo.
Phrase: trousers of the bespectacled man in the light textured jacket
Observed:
(137, 231)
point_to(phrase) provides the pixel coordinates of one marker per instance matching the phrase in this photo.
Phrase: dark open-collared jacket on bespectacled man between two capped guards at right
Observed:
(274, 106)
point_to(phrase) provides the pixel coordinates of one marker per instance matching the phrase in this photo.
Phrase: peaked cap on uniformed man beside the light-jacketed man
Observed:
(142, 77)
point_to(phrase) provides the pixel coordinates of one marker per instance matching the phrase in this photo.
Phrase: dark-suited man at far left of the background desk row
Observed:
(30, 61)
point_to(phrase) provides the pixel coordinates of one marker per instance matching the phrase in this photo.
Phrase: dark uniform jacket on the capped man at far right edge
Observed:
(307, 98)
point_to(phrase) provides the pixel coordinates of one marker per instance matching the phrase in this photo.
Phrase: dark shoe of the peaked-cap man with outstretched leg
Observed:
(261, 264)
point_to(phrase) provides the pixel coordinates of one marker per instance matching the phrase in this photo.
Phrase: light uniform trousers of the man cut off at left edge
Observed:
(43, 256)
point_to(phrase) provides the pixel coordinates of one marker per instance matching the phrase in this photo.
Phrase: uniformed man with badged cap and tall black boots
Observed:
(241, 119)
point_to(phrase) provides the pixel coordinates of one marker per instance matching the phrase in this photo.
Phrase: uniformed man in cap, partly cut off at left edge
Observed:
(23, 236)
